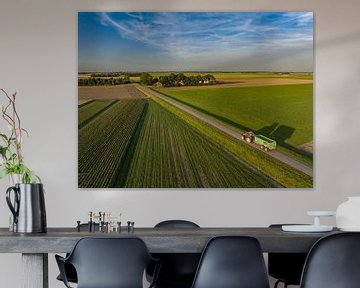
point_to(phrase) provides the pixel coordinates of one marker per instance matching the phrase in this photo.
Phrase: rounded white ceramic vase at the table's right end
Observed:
(348, 214)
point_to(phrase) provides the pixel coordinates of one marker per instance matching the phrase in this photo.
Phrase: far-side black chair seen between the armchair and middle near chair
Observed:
(178, 269)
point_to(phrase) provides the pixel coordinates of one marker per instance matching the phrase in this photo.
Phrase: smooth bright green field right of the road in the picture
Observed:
(282, 112)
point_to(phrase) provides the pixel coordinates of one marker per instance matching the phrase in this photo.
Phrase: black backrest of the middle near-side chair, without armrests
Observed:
(232, 262)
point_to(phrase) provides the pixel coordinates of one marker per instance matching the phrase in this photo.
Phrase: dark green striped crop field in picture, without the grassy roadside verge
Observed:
(163, 151)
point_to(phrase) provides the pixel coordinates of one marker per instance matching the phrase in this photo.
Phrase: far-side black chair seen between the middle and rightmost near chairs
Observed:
(286, 267)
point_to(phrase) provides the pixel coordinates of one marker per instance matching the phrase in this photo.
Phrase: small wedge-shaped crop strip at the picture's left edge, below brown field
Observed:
(88, 112)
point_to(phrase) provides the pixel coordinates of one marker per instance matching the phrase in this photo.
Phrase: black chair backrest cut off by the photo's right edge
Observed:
(333, 262)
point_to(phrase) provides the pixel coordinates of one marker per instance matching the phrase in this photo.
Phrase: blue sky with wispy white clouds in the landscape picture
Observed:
(189, 41)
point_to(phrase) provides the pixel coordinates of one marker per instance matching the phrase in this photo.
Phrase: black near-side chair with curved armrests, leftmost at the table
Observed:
(108, 263)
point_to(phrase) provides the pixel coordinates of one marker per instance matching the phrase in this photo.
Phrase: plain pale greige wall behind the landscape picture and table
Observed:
(38, 59)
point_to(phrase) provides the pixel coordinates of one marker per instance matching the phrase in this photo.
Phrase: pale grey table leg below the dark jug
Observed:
(35, 270)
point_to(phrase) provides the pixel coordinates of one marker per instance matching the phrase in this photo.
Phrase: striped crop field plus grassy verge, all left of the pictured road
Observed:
(144, 143)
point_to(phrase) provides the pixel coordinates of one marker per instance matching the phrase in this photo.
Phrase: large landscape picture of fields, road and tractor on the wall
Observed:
(195, 100)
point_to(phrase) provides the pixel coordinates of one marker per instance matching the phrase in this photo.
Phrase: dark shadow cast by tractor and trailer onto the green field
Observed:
(281, 133)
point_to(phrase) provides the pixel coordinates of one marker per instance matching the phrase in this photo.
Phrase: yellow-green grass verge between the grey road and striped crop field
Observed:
(282, 173)
